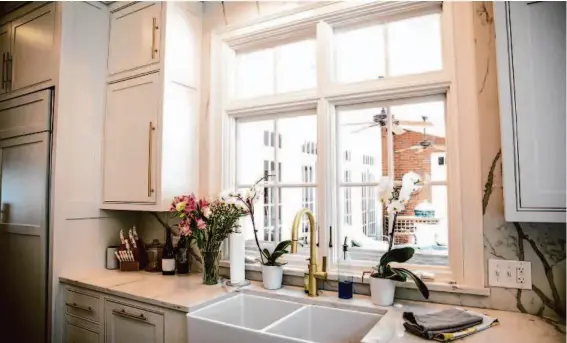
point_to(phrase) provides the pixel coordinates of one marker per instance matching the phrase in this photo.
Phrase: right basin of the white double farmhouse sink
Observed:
(326, 325)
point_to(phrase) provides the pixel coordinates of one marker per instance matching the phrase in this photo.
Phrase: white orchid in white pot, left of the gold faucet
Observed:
(272, 271)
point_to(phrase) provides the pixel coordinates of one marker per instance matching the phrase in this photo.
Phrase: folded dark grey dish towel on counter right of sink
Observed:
(447, 325)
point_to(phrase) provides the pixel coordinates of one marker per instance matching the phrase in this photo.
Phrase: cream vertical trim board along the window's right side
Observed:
(465, 191)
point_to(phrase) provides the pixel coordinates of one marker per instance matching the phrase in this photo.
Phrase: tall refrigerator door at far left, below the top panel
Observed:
(24, 173)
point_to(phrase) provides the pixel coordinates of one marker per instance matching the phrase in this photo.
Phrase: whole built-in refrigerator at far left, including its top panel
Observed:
(25, 160)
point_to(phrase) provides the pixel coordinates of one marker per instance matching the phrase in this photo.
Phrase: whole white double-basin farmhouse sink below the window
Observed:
(257, 319)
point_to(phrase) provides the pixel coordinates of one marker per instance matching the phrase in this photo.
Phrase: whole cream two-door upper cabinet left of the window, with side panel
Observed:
(151, 136)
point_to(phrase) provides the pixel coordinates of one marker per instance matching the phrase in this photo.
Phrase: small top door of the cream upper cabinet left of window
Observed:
(134, 37)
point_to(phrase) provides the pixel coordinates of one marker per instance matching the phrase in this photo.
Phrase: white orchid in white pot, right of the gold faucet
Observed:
(383, 278)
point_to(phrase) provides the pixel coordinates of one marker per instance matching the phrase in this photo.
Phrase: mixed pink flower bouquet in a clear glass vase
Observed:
(209, 223)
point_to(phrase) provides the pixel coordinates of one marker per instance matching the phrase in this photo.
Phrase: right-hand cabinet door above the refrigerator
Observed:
(31, 59)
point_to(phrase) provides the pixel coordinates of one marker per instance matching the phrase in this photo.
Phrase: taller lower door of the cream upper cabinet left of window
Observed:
(130, 140)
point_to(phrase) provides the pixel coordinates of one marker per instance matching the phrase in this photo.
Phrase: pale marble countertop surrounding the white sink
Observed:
(188, 294)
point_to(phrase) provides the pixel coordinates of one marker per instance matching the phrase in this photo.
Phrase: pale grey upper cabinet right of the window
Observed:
(531, 72)
